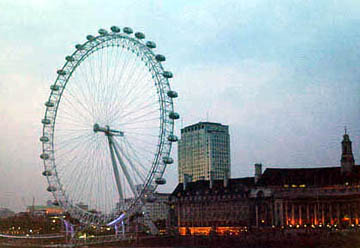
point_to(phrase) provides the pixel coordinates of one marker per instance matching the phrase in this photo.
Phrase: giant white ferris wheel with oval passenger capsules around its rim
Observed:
(108, 127)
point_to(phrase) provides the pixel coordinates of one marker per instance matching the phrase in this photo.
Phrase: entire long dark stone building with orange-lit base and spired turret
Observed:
(325, 197)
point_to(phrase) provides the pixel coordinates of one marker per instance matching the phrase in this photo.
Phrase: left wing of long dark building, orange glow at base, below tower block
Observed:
(203, 206)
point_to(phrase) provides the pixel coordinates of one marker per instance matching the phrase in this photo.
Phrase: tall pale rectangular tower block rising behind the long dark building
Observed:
(204, 152)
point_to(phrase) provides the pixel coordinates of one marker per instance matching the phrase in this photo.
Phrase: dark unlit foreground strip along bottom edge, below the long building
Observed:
(338, 239)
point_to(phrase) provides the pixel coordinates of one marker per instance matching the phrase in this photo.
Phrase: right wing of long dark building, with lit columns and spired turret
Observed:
(311, 196)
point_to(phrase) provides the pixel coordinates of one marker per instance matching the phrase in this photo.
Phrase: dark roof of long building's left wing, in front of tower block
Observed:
(236, 184)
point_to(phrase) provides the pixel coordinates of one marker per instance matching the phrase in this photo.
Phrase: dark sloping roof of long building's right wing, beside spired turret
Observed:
(323, 176)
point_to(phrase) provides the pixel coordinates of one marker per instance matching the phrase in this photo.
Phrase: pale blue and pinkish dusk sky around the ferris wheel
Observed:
(284, 75)
